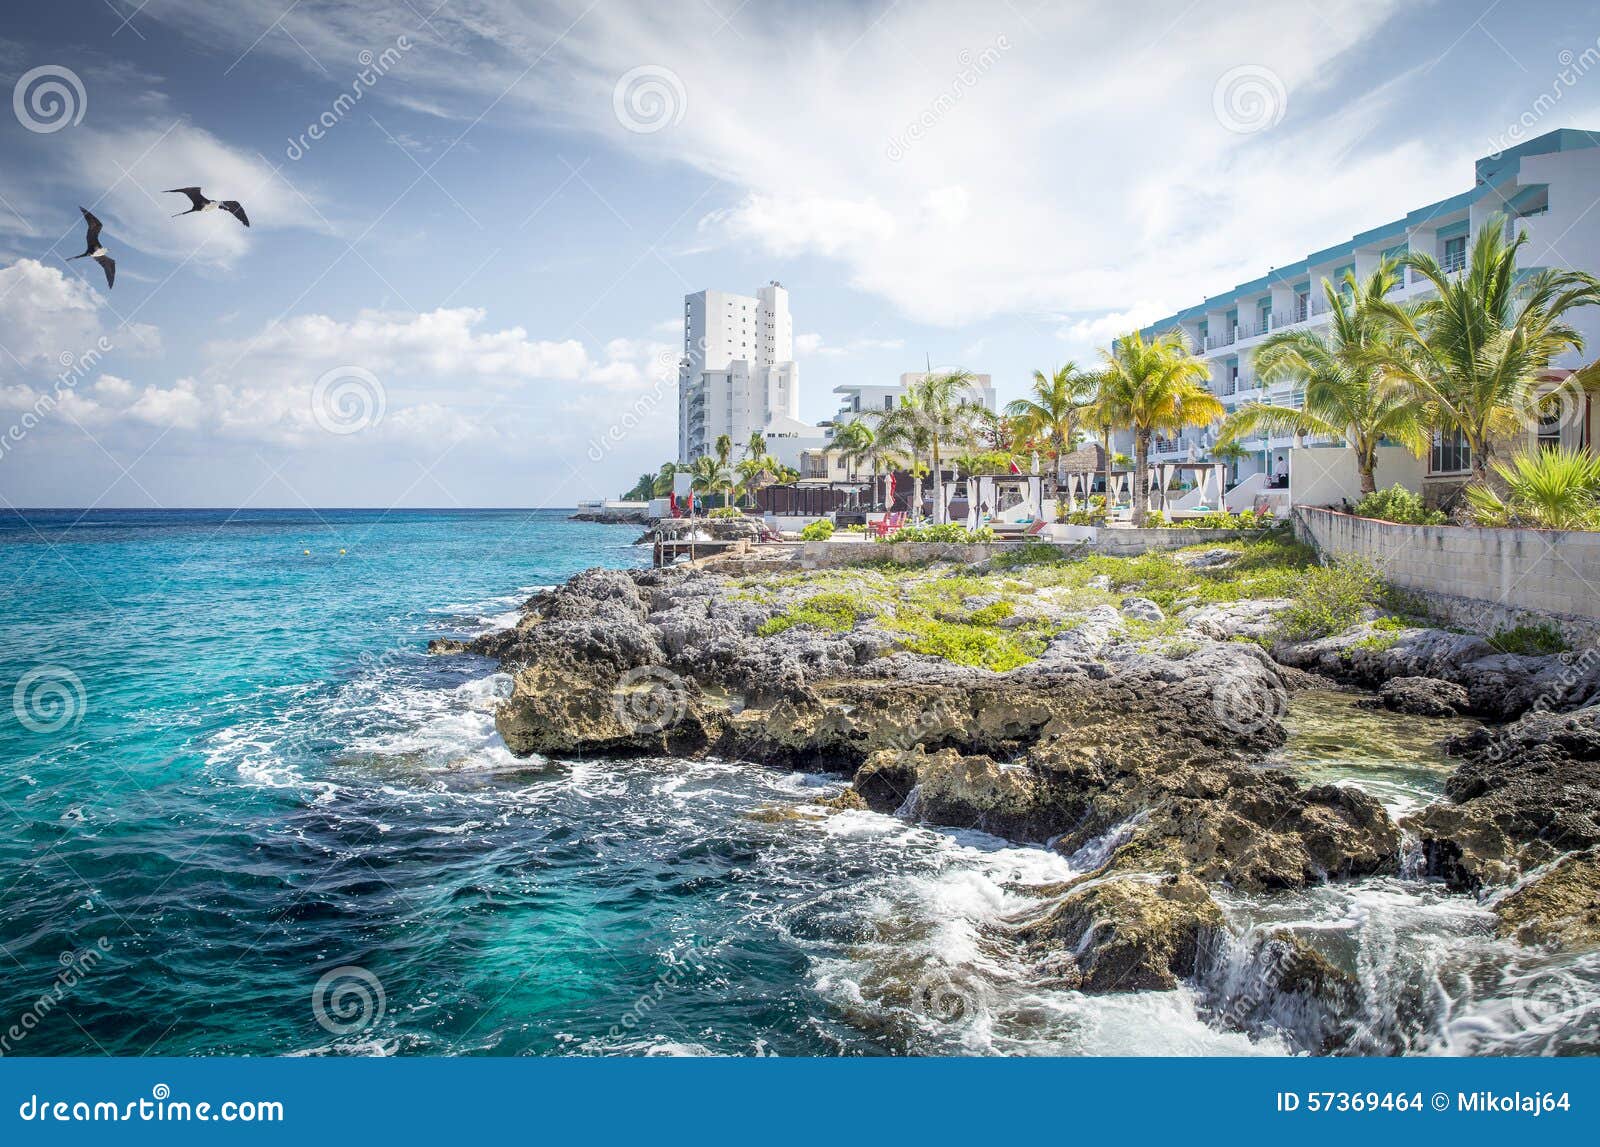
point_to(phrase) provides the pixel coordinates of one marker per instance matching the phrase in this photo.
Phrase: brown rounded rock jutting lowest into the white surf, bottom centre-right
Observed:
(1129, 933)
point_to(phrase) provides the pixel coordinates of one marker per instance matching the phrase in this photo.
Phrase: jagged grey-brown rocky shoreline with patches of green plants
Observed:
(1082, 716)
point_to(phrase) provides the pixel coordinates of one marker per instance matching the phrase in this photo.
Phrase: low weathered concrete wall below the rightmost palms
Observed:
(1484, 580)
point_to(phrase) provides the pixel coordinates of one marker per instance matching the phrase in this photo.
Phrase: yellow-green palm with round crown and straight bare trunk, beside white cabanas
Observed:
(1153, 386)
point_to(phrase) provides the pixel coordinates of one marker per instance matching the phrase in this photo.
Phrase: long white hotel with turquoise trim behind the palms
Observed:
(1545, 188)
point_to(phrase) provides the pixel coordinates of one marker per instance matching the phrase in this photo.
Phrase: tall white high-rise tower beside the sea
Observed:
(738, 375)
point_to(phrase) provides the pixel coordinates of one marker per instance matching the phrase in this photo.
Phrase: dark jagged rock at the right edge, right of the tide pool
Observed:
(1527, 794)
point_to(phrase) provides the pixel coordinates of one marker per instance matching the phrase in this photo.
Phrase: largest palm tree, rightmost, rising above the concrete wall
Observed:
(1479, 351)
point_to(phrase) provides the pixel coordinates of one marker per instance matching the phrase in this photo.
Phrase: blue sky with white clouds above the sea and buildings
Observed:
(473, 223)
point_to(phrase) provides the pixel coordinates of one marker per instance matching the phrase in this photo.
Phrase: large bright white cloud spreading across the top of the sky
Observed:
(959, 161)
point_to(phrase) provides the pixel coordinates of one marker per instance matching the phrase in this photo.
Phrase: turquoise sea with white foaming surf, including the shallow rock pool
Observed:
(249, 815)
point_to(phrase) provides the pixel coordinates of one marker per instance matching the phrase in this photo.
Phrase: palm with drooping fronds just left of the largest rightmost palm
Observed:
(1348, 393)
